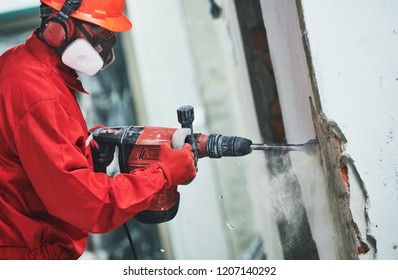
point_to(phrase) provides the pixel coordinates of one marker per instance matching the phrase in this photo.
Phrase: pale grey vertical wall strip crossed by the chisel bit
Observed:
(294, 89)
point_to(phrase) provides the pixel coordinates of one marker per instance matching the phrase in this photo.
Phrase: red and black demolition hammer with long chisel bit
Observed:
(138, 146)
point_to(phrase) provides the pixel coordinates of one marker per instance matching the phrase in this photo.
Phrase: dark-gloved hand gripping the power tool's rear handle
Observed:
(102, 153)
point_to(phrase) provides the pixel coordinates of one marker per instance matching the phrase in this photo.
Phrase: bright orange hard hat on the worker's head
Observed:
(105, 13)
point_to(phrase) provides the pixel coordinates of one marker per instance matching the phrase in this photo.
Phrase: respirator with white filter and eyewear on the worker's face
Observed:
(90, 54)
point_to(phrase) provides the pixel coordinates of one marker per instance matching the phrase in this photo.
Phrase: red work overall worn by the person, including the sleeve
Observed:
(50, 198)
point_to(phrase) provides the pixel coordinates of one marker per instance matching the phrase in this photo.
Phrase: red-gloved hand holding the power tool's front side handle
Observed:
(177, 165)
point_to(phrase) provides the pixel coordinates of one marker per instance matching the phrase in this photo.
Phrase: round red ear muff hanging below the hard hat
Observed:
(57, 31)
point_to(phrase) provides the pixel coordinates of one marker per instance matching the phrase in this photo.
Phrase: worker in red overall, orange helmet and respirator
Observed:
(50, 197)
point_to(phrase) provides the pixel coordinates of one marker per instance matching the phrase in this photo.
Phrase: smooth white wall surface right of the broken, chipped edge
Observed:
(354, 53)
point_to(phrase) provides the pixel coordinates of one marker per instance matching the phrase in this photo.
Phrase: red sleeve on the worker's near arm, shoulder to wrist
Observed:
(51, 146)
